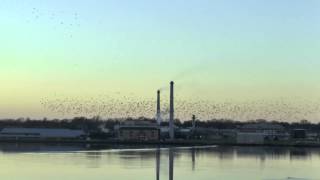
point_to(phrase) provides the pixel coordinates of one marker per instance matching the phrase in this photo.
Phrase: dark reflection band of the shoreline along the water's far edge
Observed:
(150, 152)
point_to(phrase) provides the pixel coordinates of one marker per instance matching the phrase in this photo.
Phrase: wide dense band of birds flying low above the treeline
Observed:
(121, 106)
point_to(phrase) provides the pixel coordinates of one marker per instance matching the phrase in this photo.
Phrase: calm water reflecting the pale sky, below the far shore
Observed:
(33, 162)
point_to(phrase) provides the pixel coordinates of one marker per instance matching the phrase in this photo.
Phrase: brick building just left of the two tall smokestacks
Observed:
(138, 131)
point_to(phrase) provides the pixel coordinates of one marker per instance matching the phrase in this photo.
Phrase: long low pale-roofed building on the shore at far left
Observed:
(40, 133)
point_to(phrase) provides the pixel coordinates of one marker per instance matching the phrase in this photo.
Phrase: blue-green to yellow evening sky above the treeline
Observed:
(244, 59)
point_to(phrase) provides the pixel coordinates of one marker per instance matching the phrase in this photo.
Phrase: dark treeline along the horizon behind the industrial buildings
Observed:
(96, 123)
